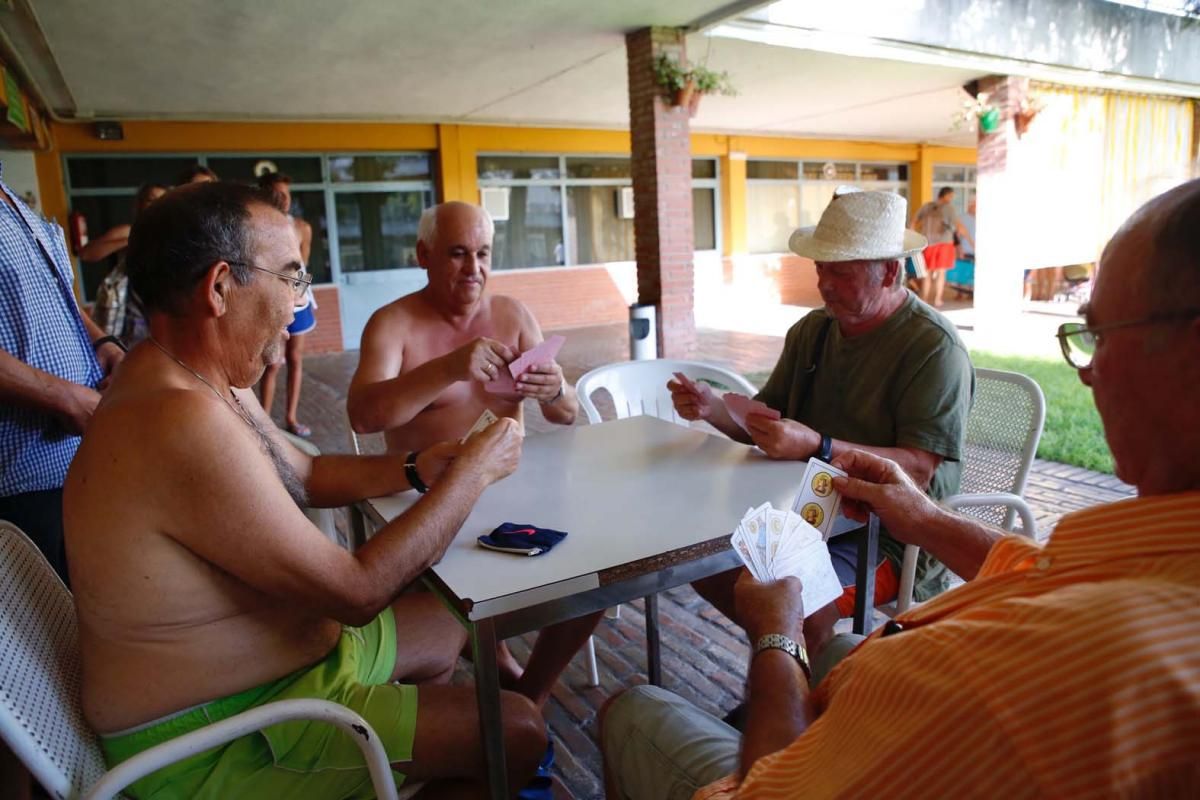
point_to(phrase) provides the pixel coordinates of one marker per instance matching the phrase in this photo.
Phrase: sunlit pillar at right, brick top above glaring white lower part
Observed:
(1000, 193)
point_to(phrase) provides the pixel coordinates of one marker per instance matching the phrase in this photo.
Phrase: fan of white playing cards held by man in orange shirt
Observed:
(778, 544)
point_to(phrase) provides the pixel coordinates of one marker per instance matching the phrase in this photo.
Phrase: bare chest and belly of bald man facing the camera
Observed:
(409, 334)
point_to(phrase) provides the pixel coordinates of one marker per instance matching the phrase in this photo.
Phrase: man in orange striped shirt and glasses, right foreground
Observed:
(1071, 670)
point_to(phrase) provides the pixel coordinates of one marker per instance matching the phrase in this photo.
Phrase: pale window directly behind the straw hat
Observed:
(783, 196)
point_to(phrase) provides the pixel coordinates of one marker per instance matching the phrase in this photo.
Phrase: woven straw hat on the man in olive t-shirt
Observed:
(859, 226)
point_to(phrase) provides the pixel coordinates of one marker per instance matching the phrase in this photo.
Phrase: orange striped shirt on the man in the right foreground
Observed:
(1065, 671)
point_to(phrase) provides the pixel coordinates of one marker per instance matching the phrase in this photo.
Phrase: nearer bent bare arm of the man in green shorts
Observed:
(220, 497)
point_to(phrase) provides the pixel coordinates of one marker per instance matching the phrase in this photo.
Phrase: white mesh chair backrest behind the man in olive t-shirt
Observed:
(1001, 440)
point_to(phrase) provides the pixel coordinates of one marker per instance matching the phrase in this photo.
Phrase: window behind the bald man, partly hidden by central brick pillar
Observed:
(569, 210)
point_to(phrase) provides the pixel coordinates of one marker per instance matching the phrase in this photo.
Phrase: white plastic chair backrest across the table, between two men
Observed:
(640, 388)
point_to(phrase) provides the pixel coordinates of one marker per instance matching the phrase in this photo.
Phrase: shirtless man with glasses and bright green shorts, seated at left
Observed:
(203, 591)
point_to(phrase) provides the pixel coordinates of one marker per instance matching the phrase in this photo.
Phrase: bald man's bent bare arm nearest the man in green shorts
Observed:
(382, 399)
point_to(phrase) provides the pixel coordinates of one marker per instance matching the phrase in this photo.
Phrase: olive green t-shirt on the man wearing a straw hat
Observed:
(909, 383)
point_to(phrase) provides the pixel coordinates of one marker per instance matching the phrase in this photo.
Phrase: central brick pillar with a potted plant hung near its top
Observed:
(662, 151)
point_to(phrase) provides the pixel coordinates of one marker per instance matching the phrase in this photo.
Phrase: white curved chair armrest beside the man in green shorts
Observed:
(241, 725)
